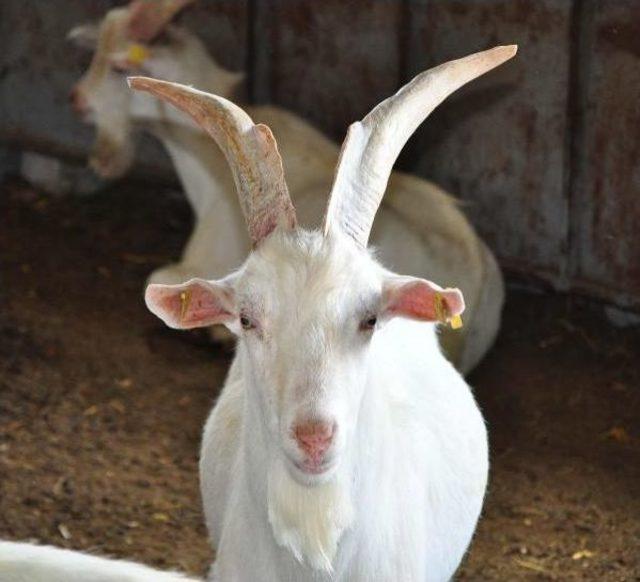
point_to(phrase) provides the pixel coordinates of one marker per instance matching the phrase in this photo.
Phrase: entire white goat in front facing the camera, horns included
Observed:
(344, 446)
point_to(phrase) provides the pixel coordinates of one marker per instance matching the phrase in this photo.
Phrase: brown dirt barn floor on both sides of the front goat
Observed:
(101, 408)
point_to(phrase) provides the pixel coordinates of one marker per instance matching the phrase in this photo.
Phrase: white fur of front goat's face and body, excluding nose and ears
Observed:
(404, 498)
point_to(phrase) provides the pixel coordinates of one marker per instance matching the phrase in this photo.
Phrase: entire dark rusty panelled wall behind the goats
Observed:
(543, 152)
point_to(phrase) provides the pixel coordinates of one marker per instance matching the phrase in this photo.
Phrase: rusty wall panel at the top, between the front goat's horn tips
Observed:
(329, 61)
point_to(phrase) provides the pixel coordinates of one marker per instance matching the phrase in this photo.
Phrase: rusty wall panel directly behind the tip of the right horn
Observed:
(499, 143)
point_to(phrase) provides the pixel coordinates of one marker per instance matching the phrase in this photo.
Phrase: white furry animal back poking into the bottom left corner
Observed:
(20, 562)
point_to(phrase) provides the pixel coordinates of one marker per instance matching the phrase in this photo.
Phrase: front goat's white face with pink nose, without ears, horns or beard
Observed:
(307, 313)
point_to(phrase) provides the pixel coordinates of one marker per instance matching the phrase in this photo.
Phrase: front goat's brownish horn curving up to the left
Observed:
(250, 149)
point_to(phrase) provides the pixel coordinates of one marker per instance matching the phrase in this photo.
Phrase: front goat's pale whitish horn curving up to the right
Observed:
(373, 144)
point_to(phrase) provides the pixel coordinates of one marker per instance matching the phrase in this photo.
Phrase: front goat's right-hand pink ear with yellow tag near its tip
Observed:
(421, 300)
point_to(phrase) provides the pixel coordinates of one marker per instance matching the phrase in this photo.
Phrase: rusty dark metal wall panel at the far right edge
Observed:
(606, 185)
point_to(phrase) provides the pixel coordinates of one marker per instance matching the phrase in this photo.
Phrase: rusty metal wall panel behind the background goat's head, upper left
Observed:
(38, 67)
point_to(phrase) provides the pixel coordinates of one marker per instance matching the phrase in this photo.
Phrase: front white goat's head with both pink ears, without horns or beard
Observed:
(305, 308)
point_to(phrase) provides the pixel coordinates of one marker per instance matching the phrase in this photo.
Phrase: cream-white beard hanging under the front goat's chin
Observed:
(309, 521)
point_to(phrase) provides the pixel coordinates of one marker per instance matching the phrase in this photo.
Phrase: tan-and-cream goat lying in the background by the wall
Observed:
(420, 230)
